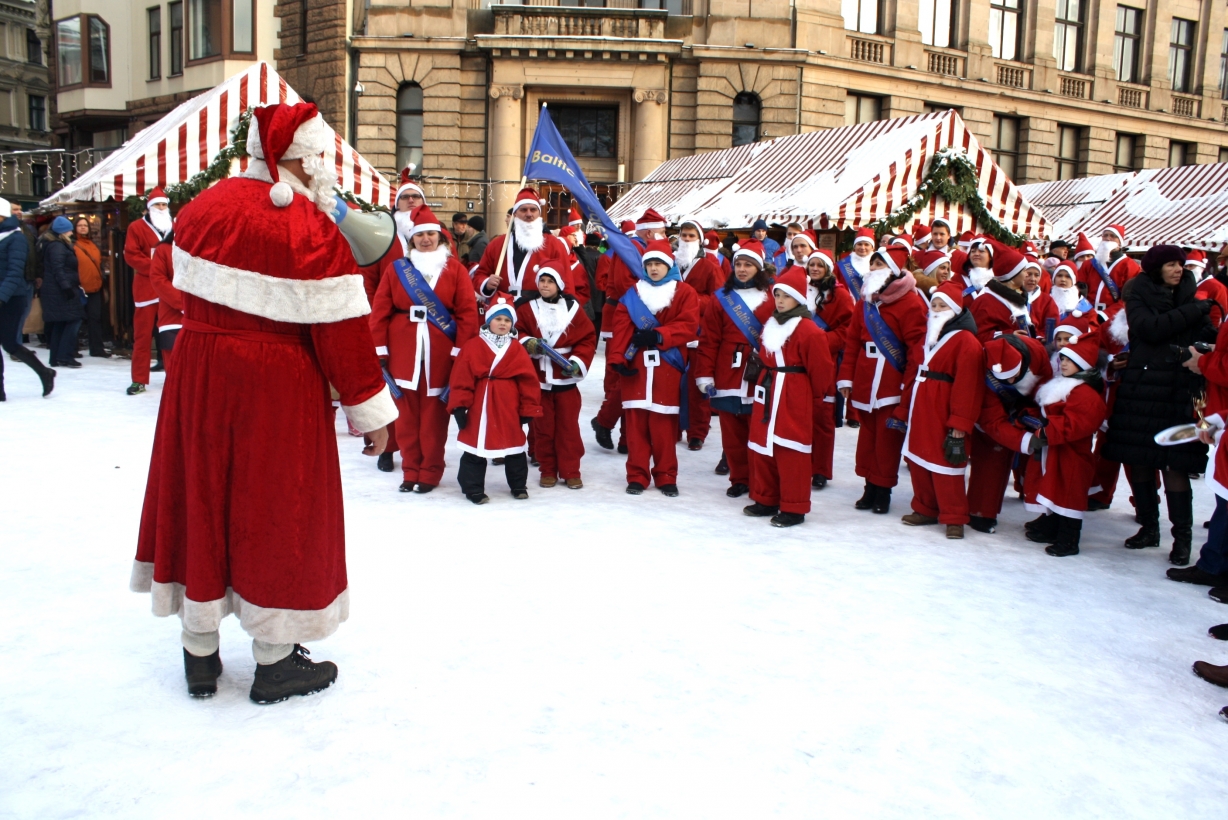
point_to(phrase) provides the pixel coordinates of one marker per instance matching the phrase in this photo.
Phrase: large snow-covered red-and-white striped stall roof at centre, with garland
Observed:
(841, 179)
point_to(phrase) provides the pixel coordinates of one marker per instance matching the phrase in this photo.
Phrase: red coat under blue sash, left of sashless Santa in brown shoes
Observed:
(875, 384)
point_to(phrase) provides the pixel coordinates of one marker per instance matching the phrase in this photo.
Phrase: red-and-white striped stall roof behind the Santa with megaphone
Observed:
(186, 142)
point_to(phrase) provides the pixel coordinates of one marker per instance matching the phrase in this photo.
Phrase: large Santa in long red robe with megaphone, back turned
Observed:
(272, 317)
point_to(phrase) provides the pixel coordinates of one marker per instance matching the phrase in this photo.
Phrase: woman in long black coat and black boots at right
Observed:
(1156, 392)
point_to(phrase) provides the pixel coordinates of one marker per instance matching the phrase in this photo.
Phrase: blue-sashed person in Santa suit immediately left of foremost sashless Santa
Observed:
(728, 344)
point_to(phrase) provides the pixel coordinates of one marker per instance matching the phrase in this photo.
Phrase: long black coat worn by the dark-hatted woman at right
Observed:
(1155, 391)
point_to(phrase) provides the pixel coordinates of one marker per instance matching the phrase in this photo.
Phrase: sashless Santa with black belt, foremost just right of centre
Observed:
(796, 374)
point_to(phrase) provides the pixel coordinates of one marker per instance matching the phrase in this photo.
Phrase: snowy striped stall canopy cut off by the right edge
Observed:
(1186, 207)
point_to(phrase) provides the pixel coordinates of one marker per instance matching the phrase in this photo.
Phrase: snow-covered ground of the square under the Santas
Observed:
(593, 655)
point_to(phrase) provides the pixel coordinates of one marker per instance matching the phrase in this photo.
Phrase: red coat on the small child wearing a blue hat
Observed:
(499, 386)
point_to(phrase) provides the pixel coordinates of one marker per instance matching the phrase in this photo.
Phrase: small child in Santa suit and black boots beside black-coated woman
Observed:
(1064, 467)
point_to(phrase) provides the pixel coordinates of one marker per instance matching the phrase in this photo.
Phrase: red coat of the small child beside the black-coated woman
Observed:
(1068, 468)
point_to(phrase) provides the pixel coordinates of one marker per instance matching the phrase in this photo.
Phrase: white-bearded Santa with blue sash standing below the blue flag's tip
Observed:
(655, 322)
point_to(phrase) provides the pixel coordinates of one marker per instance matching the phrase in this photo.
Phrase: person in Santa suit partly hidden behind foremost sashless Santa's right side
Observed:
(832, 311)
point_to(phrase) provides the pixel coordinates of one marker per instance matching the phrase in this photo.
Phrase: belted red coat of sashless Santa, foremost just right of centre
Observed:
(789, 400)
